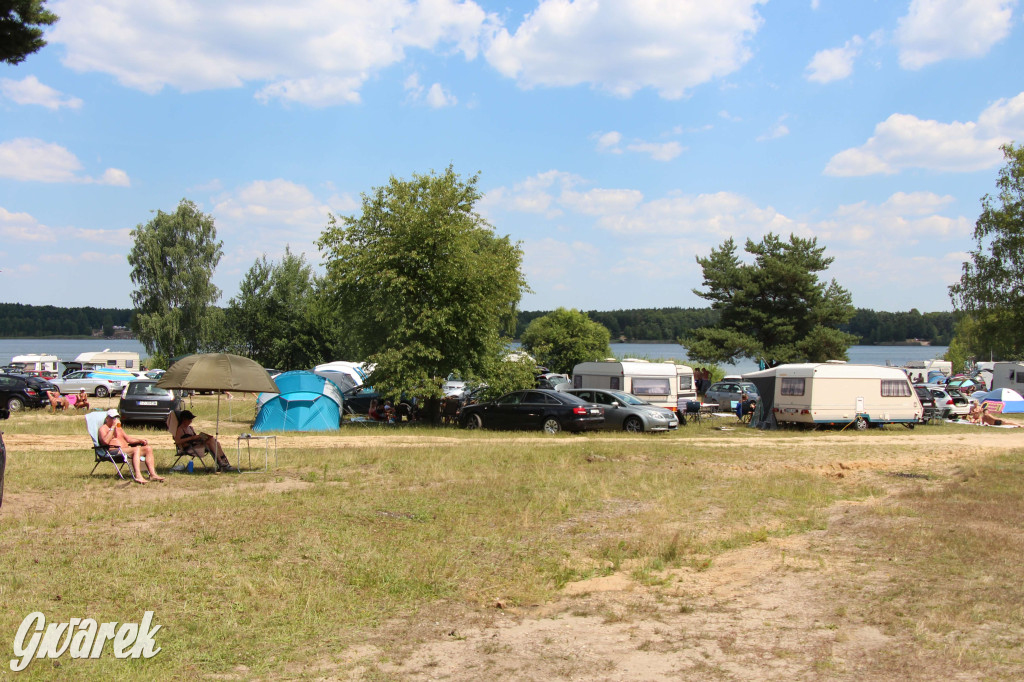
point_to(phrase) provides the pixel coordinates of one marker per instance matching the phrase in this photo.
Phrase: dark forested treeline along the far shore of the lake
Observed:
(872, 327)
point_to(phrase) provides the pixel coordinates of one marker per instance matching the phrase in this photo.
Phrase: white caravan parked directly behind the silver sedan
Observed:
(654, 382)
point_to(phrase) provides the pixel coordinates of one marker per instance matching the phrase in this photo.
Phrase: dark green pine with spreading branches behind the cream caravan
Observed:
(776, 309)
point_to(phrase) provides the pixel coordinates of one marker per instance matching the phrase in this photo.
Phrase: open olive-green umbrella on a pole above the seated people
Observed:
(219, 372)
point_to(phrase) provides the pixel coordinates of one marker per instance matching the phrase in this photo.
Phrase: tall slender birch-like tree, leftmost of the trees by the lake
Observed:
(173, 260)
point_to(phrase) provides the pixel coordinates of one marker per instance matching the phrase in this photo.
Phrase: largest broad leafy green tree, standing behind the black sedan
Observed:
(422, 284)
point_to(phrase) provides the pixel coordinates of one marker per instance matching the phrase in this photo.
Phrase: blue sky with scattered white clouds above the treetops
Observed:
(616, 140)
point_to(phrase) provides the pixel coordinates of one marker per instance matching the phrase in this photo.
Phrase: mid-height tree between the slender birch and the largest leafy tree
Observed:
(274, 315)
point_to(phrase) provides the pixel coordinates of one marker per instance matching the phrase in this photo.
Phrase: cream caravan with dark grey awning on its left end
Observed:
(836, 394)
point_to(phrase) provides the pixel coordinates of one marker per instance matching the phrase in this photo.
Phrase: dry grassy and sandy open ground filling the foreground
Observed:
(416, 553)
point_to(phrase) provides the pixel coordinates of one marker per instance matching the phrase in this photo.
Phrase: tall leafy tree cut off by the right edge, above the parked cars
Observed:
(992, 290)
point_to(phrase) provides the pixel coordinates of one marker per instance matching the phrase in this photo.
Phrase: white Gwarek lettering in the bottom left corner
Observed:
(82, 638)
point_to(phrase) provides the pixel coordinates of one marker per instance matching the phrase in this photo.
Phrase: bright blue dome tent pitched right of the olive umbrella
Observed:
(307, 403)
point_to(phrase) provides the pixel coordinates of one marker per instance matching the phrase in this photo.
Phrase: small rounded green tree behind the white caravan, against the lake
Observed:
(563, 339)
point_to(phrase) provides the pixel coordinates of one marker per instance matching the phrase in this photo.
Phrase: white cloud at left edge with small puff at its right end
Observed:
(33, 160)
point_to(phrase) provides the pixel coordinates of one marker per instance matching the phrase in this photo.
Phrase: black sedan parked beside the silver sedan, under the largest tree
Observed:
(538, 409)
